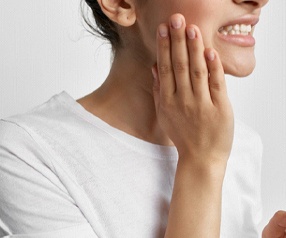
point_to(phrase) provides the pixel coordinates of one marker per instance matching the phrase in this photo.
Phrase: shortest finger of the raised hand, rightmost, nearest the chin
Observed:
(217, 84)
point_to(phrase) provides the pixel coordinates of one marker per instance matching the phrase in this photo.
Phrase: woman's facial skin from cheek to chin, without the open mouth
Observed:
(241, 60)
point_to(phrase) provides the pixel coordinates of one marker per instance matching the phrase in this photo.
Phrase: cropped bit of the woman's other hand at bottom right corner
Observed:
(276, 226)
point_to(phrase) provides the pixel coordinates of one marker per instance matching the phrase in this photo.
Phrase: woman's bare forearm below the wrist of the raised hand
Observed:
(195, 209)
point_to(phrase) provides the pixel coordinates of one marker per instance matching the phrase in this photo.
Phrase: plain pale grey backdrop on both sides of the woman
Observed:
(44, 49)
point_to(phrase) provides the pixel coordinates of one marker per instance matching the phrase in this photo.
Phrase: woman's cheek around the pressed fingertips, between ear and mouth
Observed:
(194, 11)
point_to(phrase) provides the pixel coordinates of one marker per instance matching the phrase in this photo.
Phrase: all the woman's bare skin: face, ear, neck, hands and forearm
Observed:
(174, 106)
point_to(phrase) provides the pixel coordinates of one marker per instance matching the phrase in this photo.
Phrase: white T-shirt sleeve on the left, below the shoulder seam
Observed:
(33, 201)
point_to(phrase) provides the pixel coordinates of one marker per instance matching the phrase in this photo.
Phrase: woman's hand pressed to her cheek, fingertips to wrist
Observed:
(190, 92)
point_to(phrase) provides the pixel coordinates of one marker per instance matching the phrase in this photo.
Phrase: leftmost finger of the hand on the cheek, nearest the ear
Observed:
(164, 65)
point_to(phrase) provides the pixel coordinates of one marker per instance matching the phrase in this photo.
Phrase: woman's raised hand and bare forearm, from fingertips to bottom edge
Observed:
(185, 100)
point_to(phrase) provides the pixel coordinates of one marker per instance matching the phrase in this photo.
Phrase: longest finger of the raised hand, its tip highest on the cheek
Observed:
(180, 57)
